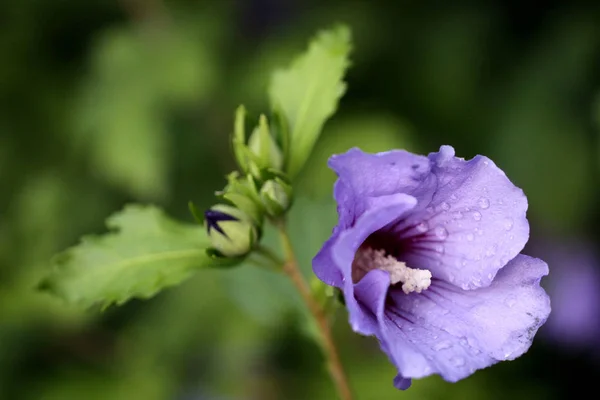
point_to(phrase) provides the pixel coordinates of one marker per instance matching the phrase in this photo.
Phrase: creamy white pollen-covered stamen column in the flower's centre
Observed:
(412, 279)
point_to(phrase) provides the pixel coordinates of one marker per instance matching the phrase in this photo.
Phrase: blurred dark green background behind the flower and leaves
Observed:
(104, 103)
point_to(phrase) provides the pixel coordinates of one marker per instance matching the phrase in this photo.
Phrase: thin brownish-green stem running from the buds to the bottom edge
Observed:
(291, 269)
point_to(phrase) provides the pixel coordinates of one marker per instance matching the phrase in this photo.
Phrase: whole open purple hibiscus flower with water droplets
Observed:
(426, 251)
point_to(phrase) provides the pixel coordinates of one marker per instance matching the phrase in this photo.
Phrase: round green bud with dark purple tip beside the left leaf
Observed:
(230, 230)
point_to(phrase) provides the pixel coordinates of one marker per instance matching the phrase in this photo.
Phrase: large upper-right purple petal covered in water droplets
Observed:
(475, 224)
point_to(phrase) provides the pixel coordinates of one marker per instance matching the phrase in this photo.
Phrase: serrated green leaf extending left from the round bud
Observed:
(144, 252)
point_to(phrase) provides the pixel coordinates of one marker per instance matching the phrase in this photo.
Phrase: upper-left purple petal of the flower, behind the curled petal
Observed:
(363, 176)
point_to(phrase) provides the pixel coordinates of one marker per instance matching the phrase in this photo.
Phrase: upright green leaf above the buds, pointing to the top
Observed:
(308, 92)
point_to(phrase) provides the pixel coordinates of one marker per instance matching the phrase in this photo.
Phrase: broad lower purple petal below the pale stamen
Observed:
(453, 332)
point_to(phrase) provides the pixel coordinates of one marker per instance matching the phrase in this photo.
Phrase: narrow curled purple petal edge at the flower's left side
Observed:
(333, 263)
